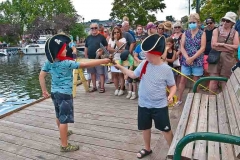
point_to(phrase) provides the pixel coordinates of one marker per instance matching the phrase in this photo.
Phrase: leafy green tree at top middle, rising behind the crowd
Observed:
(139, 12)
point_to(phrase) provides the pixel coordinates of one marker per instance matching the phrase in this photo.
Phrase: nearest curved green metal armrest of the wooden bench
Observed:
(224, 138)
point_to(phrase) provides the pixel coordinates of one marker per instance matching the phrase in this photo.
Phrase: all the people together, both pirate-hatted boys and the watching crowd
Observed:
(150, 56)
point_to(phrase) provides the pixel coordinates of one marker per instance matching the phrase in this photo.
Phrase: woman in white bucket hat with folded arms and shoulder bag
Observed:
(227, 46)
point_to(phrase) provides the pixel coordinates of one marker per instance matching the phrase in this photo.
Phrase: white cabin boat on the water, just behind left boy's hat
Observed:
(36, 48)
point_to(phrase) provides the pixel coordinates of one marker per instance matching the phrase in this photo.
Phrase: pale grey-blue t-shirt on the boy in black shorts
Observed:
(152, 87)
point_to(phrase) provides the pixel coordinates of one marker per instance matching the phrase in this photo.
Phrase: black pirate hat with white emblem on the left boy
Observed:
(54, 45)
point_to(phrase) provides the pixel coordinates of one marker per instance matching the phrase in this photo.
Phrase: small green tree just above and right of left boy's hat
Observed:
(77, 30)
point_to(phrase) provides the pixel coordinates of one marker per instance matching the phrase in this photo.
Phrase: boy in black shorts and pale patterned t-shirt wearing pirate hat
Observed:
(152, 103)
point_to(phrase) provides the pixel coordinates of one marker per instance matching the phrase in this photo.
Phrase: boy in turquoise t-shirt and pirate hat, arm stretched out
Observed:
(60, 67)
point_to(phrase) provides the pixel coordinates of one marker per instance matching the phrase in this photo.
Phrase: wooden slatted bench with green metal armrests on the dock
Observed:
(215, 118)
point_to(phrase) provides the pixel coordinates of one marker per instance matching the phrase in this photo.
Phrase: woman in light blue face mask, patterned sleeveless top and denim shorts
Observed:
(192, 47)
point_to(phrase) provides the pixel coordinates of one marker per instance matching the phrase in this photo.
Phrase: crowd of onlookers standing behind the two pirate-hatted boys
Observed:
(186, 50)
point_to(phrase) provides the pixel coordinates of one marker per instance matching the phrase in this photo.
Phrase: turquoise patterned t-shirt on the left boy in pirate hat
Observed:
(62, 75)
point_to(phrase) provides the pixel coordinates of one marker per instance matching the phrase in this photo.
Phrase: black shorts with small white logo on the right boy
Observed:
(159, 115)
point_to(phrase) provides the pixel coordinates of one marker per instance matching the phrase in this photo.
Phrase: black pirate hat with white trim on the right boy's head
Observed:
(154, 44)
